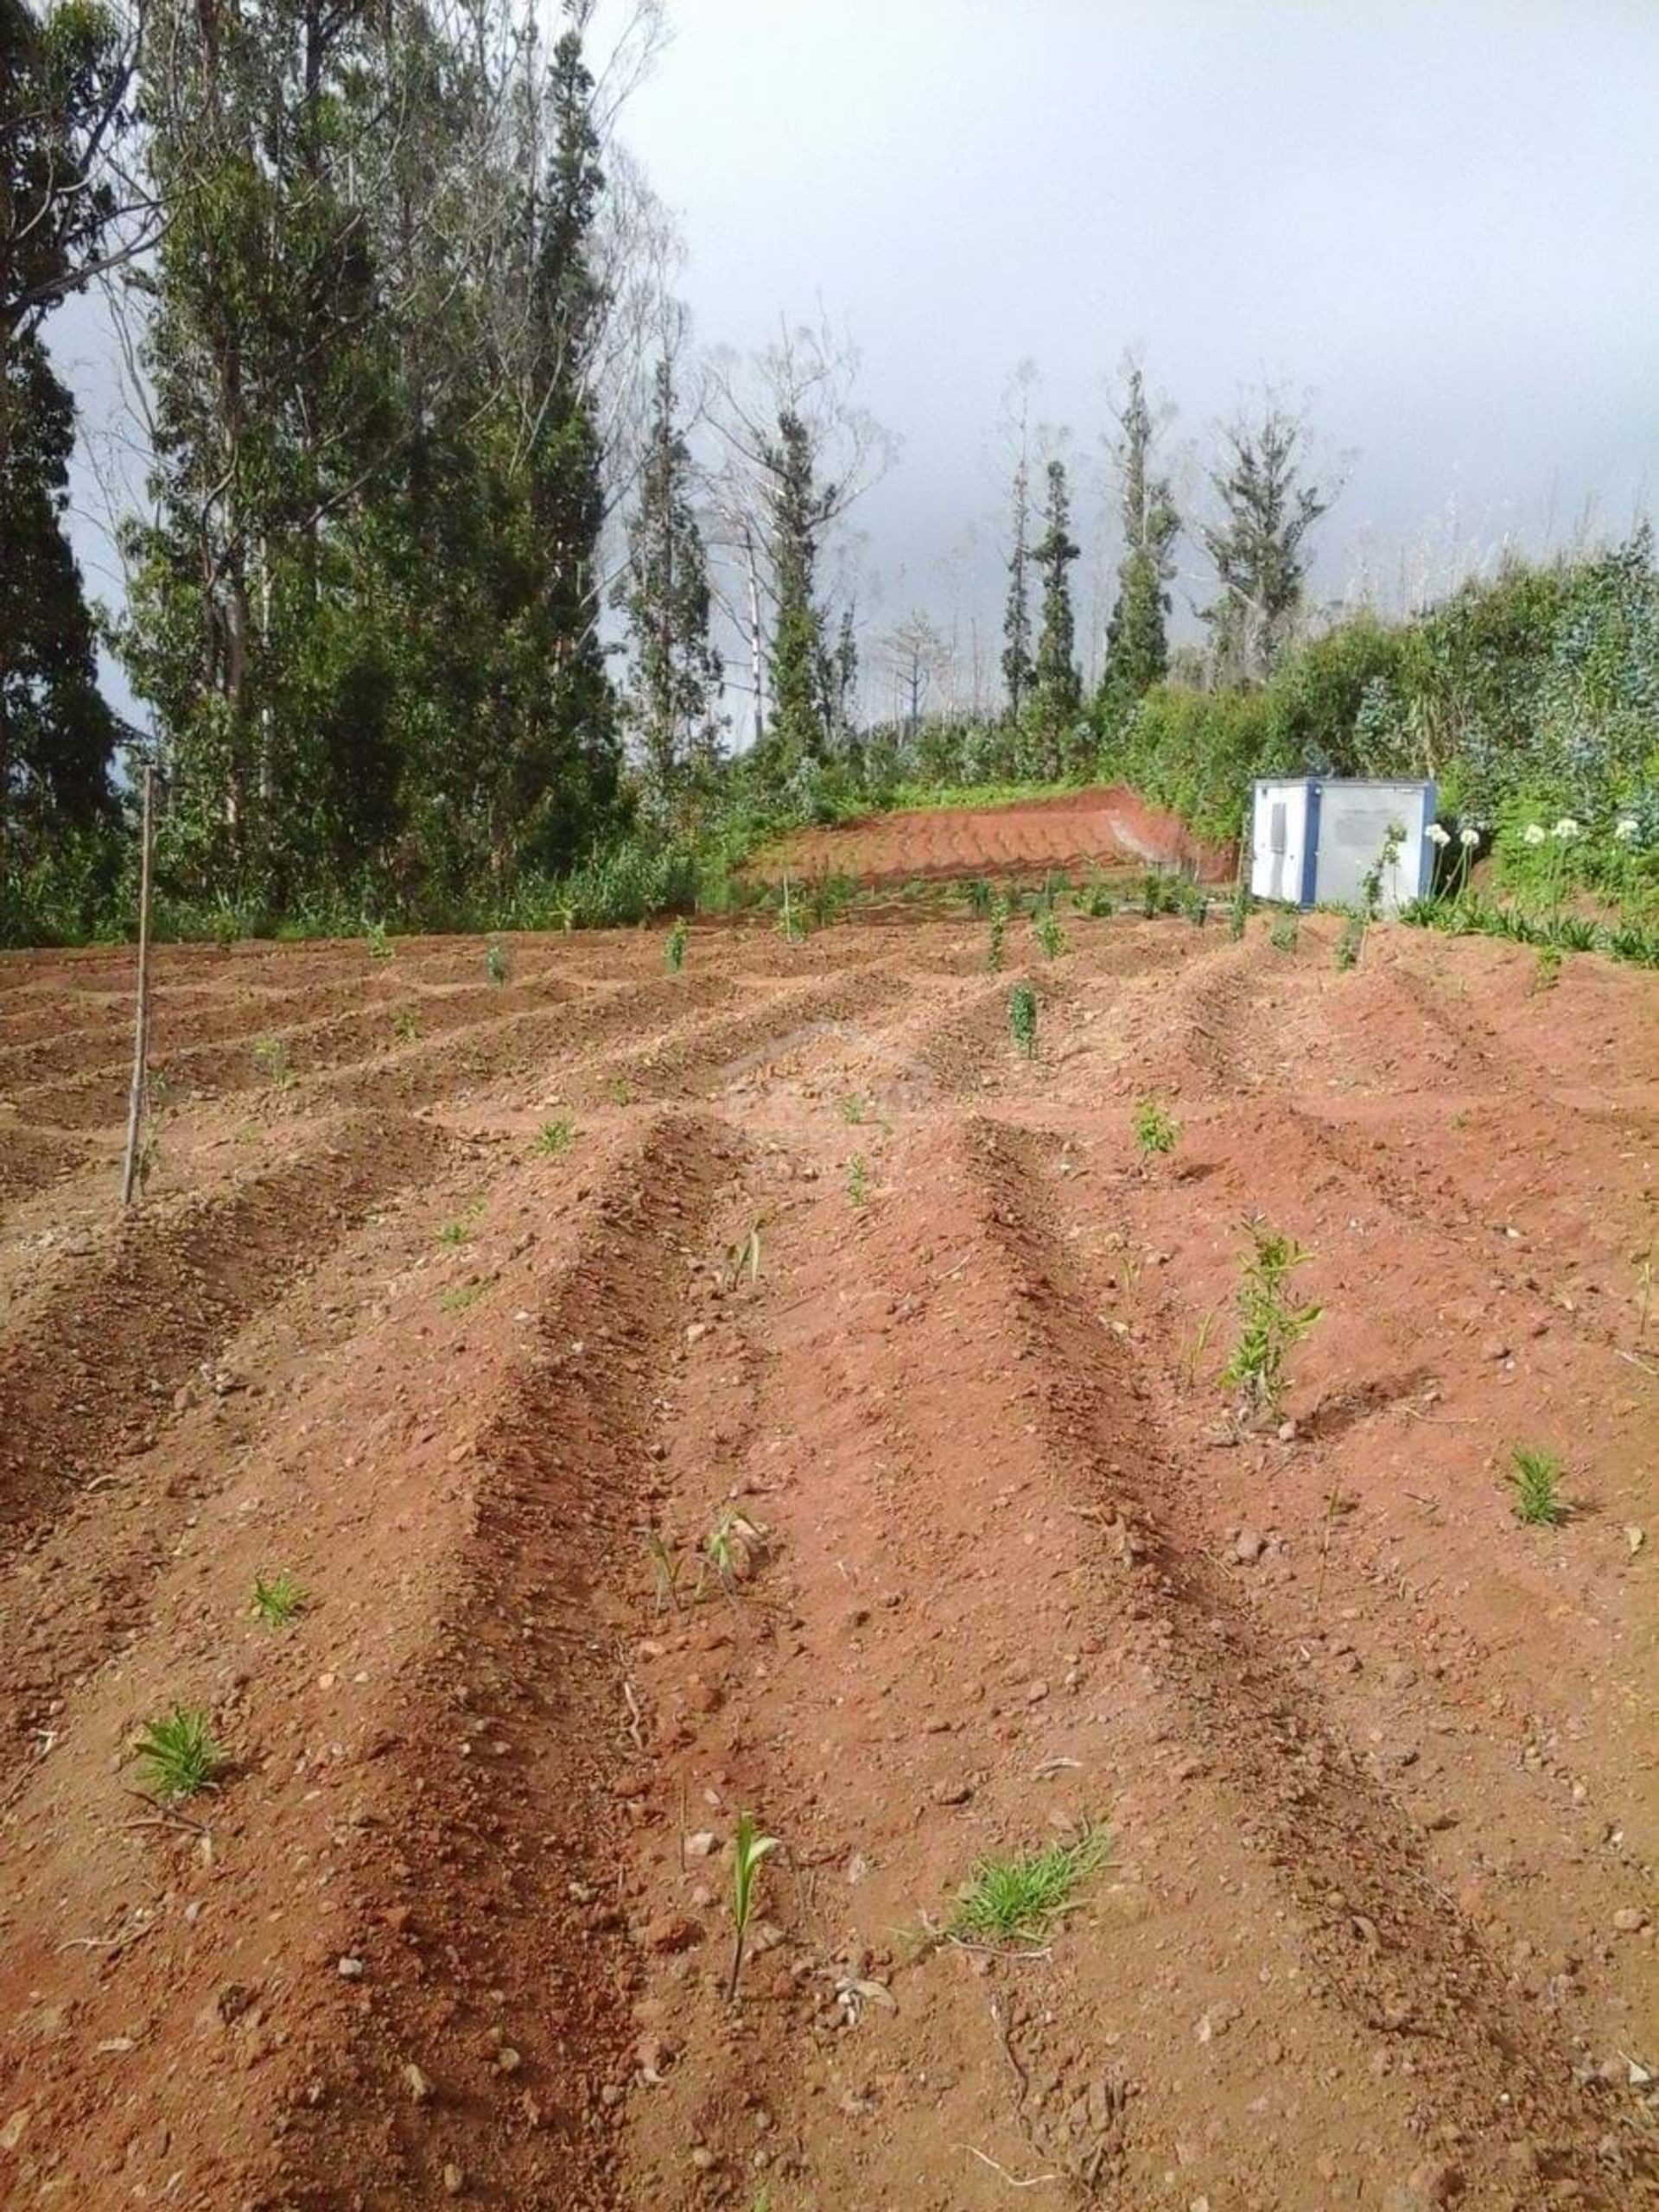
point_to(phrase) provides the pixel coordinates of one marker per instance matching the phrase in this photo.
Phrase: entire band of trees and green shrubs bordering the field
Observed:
(441, 519)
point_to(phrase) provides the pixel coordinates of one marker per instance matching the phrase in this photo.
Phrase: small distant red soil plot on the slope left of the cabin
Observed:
(1098, 828)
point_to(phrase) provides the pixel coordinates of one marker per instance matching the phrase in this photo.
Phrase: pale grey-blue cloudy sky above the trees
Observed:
(1432, 220)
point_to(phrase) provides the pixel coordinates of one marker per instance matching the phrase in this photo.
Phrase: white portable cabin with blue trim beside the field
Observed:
(1313, 839)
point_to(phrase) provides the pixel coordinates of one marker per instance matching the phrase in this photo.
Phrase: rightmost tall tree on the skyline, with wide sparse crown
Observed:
(1258, 543)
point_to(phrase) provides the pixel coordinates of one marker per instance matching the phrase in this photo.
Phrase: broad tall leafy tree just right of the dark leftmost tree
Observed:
(271, 366)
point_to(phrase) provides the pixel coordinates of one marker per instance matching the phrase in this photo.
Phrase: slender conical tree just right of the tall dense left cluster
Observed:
(676, 689)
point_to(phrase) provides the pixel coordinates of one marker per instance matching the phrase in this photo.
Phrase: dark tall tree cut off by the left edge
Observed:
(61, 98)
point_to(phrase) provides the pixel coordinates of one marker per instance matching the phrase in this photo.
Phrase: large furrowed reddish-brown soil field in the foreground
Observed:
(1375, 1932)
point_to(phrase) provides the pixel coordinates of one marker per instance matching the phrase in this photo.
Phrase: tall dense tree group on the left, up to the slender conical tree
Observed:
(393, 324)
